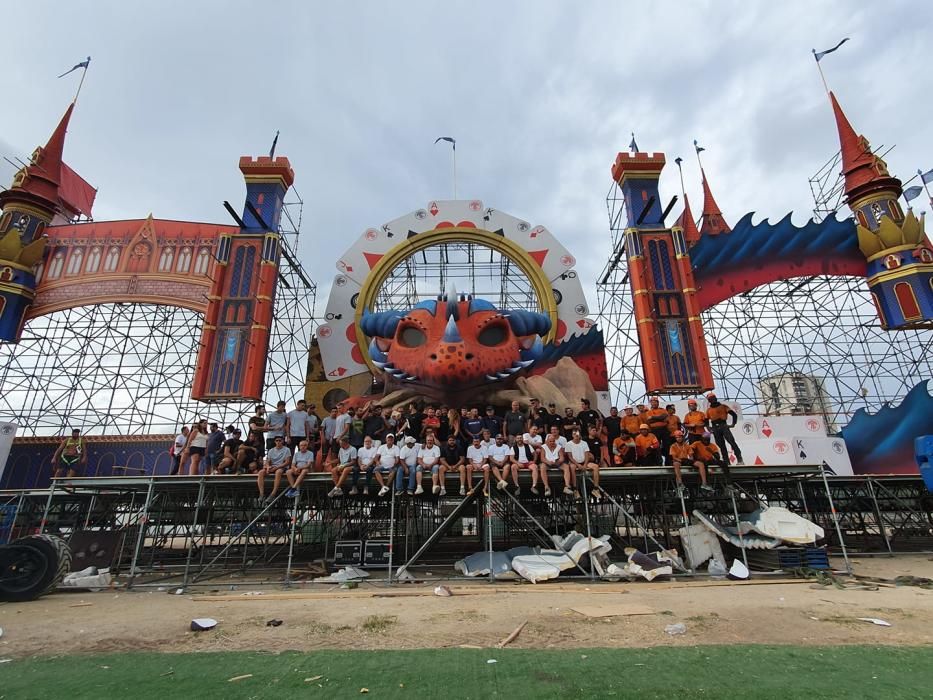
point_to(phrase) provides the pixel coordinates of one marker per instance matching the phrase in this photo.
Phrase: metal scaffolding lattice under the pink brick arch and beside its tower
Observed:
(127, 368)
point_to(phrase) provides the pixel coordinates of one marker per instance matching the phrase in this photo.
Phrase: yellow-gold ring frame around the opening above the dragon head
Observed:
(409, 247)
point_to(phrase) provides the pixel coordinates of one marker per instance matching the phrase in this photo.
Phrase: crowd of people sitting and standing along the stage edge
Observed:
(397, 448)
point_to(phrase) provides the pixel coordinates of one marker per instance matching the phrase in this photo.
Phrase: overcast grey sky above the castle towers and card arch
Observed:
(539, 95)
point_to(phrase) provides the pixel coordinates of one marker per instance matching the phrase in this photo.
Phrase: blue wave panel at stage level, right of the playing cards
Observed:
(883, 442)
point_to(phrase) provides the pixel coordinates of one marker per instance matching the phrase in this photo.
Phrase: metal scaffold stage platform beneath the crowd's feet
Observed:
(188, 530)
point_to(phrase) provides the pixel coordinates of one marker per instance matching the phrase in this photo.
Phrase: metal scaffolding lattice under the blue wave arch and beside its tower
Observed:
(821, 327)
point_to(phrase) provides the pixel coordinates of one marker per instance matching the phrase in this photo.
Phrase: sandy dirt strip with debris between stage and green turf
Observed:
(767, 613)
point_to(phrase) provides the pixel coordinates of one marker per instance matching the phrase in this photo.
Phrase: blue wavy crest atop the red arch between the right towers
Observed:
(766, 242)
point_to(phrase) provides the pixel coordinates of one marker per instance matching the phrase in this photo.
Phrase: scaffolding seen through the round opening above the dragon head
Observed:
(469, 268)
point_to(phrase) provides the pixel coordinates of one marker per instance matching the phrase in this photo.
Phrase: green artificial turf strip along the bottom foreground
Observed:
(746, 672)
